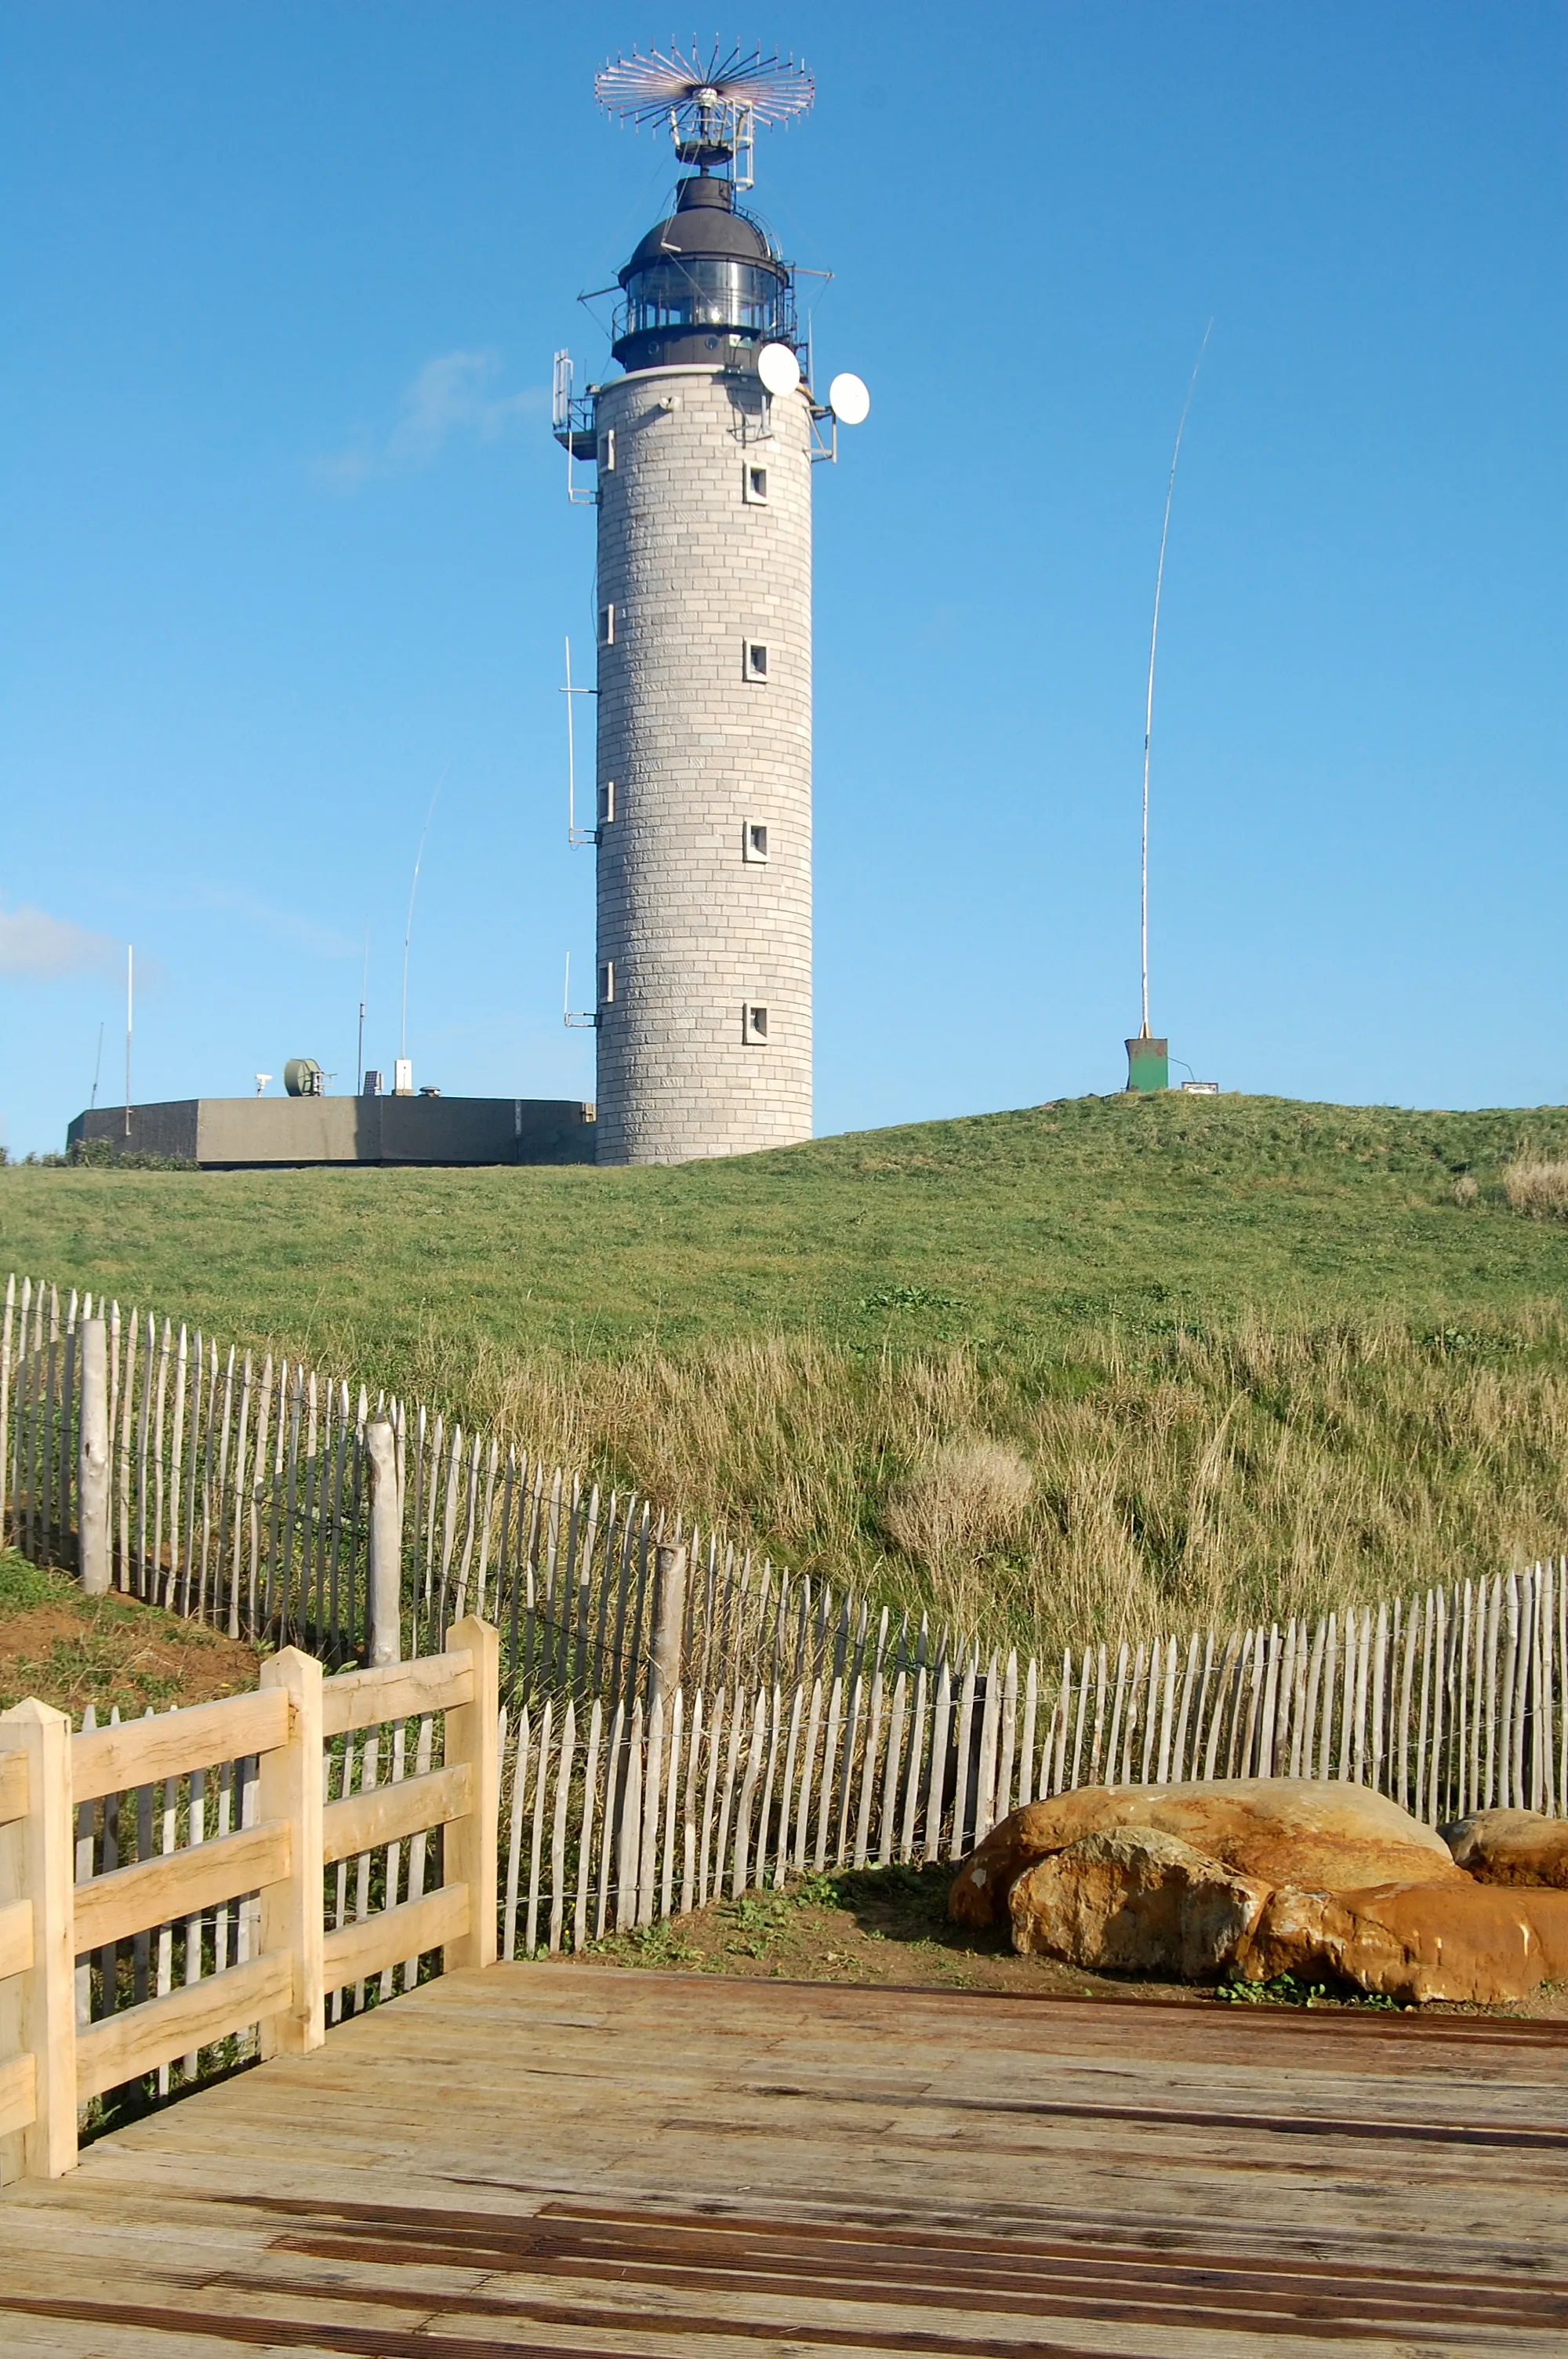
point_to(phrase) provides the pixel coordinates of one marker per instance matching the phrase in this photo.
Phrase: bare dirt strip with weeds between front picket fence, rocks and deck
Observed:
(890, 1926)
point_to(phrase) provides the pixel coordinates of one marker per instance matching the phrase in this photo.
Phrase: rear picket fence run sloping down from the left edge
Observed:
(237, 1490)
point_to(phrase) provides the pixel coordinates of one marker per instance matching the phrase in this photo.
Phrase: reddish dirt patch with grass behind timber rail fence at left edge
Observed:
(72, 1650)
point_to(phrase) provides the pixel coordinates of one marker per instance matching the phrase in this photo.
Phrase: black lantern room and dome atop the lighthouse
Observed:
(706, 287)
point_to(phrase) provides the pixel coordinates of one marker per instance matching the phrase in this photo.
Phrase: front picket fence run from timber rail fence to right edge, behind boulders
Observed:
(621, 1818)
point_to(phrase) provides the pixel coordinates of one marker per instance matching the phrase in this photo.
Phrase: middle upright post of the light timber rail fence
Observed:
(289, 1787)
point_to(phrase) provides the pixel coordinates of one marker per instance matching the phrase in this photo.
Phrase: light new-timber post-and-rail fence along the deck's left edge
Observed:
(235, 1877)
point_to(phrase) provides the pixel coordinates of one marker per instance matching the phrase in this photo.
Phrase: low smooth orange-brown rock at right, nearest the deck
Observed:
(1414, 1943)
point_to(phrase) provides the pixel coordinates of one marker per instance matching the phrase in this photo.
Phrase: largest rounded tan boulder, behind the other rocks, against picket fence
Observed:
(1286, 1832)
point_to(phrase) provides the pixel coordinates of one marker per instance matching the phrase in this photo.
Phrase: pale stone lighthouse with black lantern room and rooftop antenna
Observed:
(704, 452)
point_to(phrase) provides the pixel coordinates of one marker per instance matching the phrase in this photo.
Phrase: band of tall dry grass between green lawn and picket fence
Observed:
(1131, 1487)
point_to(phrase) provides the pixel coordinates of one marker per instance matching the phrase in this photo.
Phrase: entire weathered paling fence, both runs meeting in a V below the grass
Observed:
(678, 1723)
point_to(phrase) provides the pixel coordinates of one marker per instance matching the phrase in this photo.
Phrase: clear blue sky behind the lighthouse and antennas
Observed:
(286, 539)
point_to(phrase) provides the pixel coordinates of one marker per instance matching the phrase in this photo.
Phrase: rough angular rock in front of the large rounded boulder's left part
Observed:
(1135, 1903)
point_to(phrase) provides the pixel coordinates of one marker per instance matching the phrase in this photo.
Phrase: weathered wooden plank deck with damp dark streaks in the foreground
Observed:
(553, 2160)
